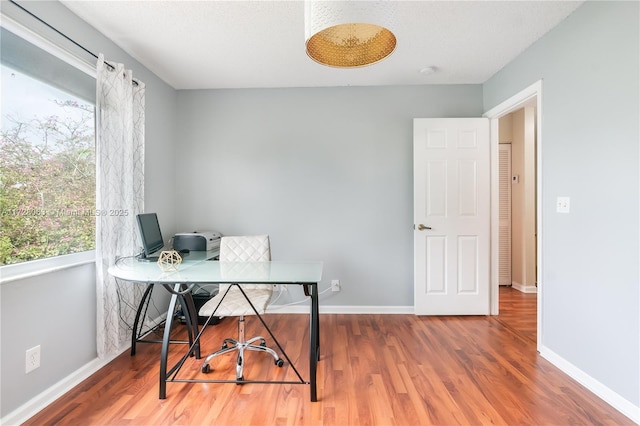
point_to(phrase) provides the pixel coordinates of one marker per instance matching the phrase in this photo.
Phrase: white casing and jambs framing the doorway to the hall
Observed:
(529, 97)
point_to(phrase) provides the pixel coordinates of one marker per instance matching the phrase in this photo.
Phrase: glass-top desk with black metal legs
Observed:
(196, 269)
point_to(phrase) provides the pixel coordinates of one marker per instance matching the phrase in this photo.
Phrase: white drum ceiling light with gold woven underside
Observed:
(347, 34)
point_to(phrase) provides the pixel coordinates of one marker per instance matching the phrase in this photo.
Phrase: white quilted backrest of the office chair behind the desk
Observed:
(249, 248)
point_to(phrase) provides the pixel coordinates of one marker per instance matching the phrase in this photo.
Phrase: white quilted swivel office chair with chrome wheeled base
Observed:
(241, 249)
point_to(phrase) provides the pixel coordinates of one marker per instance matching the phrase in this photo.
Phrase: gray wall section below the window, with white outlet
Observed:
(56, 311)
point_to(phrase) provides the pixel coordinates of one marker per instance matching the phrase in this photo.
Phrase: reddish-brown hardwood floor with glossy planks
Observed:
(374, 370)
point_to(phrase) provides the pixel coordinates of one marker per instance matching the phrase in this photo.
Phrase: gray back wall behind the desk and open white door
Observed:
(327, 173)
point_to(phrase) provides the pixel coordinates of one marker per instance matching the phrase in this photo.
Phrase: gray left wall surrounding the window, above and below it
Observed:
(58, 310)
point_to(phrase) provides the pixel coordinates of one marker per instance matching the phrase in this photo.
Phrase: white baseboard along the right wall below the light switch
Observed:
(607, 395)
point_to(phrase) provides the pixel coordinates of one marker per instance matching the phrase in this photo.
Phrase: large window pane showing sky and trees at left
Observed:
(47, 155)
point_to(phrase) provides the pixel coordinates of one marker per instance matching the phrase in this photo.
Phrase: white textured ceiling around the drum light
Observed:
(241, 44)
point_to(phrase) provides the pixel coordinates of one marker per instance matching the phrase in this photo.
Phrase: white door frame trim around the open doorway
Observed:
(530, 94)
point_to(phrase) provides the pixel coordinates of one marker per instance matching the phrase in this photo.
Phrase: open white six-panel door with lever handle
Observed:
(452, 216)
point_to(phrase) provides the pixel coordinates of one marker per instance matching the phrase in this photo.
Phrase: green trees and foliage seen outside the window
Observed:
(47, 184)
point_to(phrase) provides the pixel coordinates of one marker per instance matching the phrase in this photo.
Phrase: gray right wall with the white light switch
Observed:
(590, 140)
